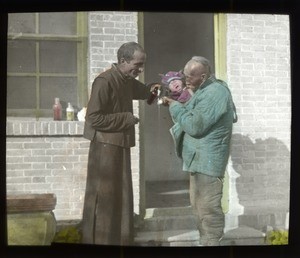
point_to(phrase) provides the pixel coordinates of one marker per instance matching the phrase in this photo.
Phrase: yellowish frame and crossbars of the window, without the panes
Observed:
(81, 39)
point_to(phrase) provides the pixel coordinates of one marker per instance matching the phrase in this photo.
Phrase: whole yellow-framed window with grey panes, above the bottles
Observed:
(46, 58)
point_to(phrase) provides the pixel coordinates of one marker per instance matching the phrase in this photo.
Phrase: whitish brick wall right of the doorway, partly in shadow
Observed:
(258, 68)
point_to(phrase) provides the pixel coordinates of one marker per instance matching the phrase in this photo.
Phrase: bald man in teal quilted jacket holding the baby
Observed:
(202, 134)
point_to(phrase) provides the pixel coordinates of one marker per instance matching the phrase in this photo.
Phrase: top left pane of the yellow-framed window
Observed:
(21, 22)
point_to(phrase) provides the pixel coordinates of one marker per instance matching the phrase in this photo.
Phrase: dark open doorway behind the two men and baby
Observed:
(170, 40)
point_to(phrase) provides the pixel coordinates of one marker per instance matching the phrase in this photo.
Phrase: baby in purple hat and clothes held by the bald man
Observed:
(174, 81)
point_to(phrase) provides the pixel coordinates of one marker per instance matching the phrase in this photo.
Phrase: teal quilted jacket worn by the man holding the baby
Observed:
(203, 128)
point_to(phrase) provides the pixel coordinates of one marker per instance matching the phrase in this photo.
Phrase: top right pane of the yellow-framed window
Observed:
(58, 23)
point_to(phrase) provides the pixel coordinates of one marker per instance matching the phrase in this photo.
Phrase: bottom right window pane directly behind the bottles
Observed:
(63, 88)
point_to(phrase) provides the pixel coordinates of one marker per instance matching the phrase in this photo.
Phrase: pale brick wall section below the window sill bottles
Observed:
(48, 157)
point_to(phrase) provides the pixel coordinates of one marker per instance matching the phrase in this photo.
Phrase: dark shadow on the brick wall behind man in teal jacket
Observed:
(264, 169)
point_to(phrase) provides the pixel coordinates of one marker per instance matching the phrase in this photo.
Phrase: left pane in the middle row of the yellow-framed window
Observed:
(20, 56)
